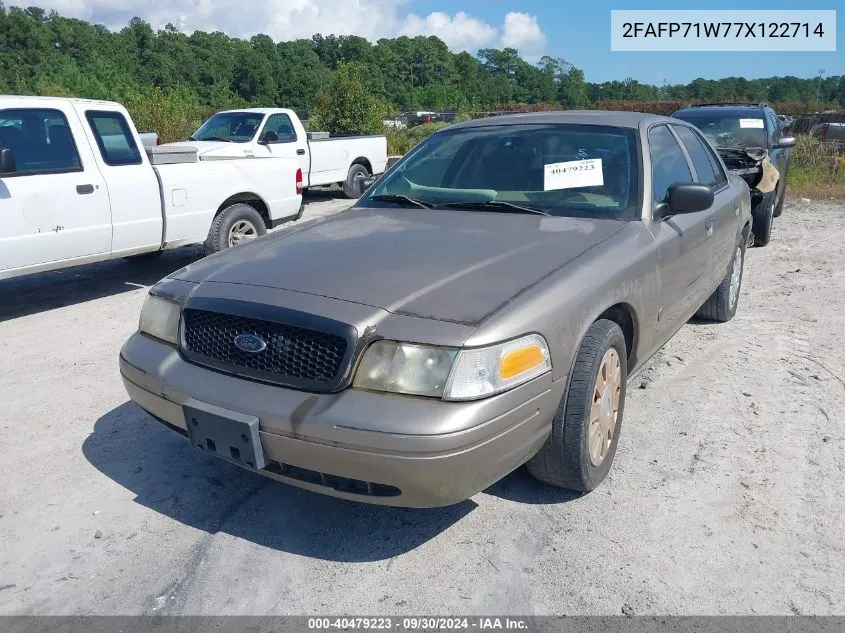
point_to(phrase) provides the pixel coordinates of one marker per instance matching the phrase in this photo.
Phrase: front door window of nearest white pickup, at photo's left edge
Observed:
(40, 140)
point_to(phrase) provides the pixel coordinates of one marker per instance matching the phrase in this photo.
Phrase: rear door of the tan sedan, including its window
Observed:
(724, 220)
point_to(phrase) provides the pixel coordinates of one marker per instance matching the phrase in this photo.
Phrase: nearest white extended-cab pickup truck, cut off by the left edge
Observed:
(77, 186)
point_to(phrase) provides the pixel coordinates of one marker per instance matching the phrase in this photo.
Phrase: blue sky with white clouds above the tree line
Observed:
(576, 31)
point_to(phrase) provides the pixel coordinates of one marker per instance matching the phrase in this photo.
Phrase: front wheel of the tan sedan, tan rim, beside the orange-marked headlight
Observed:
(579, 451)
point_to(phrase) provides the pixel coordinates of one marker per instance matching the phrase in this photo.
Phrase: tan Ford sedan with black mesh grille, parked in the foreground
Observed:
(481, 307)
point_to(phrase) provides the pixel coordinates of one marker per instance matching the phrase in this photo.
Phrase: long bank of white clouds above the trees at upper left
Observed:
(293, 19)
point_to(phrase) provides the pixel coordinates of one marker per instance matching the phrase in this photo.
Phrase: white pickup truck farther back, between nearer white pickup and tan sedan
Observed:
(324, 160)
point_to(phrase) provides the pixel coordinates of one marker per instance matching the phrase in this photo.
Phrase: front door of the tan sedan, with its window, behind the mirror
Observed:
(683, 240)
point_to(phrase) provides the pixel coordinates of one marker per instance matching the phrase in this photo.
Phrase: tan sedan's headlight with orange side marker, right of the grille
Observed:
(451, 374)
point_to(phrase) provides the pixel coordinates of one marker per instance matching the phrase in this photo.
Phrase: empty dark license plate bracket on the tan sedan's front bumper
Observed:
(226, 434)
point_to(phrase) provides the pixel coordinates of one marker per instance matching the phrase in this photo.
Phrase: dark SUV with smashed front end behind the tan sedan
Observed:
(751, 141)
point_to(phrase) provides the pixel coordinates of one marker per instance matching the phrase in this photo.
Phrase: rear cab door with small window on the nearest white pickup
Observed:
(132, 184)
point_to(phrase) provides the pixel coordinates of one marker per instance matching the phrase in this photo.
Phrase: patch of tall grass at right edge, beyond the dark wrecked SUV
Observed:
(816, 170)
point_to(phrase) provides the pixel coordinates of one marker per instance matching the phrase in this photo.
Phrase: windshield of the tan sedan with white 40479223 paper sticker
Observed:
(561, 170)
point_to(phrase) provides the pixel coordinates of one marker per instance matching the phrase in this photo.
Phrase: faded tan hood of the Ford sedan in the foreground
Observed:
(456, 266)
